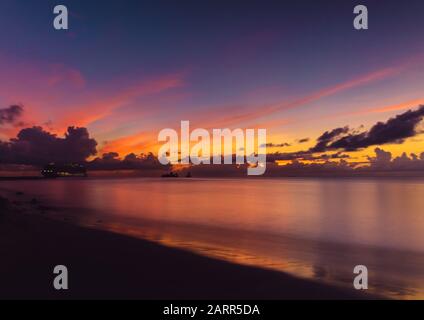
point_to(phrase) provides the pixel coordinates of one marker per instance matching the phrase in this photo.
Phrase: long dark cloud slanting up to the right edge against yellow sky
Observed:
(395, 130)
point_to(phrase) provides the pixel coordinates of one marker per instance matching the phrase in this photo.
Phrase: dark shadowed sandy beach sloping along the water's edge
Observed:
(107, 265)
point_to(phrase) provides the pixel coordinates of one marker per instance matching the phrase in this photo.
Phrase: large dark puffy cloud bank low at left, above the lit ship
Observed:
(35, 146)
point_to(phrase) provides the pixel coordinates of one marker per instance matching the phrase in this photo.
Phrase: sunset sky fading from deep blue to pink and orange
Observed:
(127, 69)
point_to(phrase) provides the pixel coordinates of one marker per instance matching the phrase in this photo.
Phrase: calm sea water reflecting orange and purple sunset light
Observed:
(313, 228)
